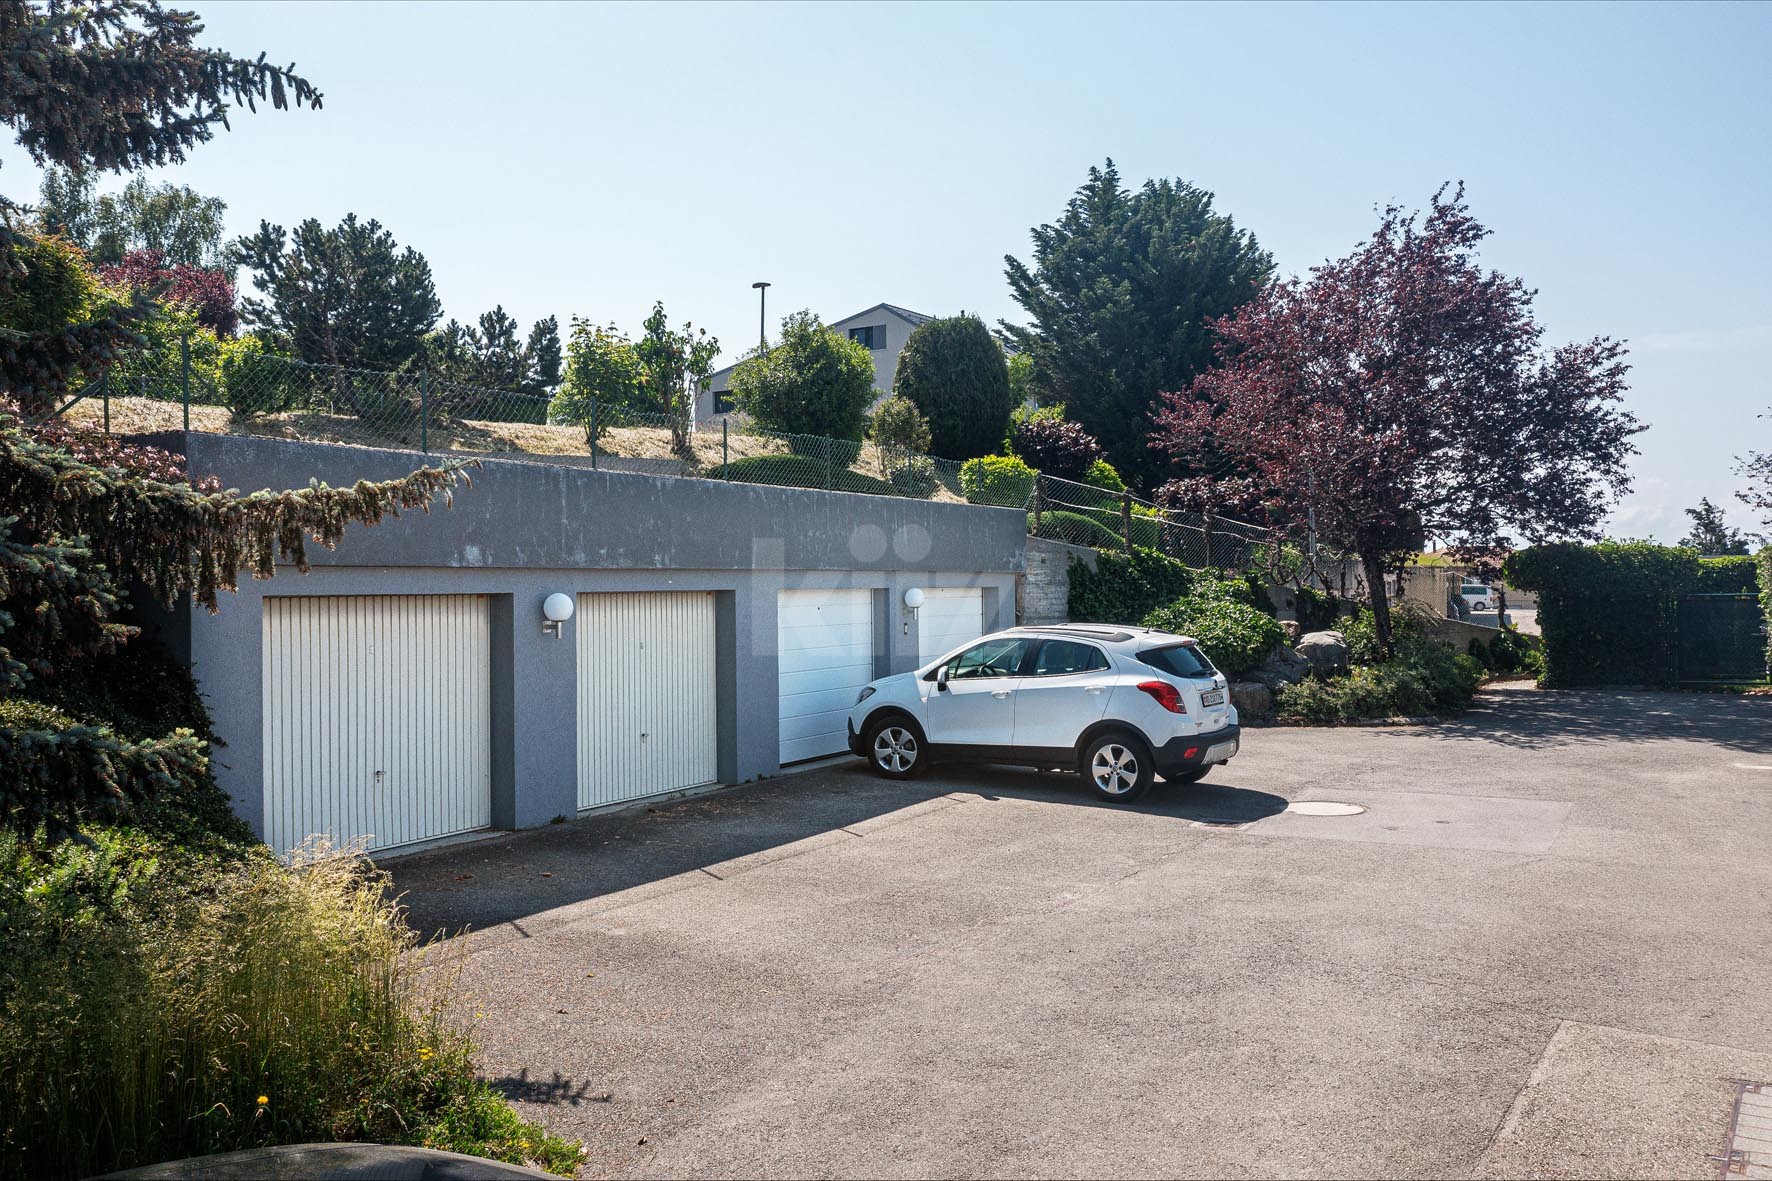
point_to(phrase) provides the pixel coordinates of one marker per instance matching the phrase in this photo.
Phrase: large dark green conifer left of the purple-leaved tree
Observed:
(1121, 297)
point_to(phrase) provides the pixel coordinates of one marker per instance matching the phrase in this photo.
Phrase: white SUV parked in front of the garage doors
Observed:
(1121, 705)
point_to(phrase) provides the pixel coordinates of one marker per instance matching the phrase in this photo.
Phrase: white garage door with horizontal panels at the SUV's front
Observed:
(827, 641)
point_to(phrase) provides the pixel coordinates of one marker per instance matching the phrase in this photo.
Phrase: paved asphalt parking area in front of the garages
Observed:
(1543, 950)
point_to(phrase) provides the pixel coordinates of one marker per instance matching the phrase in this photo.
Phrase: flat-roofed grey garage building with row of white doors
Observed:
(412, 689)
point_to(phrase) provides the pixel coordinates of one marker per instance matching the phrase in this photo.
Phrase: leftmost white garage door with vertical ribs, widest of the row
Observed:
(378, 719)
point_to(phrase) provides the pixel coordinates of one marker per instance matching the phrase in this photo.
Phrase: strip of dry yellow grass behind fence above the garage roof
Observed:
(144, 416)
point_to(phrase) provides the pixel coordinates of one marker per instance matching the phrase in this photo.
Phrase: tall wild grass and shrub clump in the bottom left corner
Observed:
(159, 1005)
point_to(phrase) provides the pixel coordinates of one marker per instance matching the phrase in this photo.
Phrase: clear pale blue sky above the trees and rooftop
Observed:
(587, 160)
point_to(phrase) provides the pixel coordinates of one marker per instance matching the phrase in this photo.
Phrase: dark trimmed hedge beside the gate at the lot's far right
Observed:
(1606, 611)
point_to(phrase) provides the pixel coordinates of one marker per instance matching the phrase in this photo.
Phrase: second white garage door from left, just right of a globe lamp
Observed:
(646, 694)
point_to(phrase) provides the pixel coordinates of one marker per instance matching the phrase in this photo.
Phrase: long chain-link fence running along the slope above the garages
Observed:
(242, 391)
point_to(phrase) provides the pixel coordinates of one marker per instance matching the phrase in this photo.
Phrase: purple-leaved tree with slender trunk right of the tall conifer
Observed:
(1404, 395)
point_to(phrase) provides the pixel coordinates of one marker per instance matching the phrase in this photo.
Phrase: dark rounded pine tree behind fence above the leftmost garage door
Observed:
(350, 295)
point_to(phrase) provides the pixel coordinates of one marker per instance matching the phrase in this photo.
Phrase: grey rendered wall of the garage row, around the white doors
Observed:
(529, 529)
